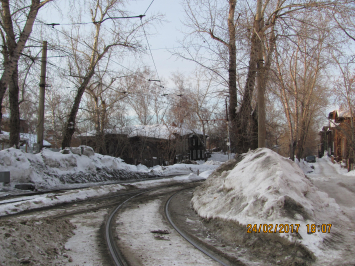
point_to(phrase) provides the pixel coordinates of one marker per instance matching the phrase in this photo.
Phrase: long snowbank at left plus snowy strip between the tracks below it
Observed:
(53, 170)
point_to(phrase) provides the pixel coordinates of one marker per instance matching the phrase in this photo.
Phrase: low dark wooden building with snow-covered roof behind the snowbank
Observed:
(148, 144)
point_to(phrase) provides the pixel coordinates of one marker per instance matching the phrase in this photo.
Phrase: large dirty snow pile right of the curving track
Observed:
(262, 187)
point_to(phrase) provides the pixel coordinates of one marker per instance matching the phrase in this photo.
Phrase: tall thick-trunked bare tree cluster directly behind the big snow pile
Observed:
(212, 18)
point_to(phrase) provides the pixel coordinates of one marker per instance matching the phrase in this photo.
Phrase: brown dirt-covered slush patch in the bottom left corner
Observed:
(35, 242)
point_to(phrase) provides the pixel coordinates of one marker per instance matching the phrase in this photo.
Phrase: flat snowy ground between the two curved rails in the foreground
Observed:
(135, 233)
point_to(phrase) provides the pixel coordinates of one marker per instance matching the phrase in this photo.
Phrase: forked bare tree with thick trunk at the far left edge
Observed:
(16, 25)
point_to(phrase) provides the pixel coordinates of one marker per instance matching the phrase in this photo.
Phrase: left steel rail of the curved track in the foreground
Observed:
(116, 256)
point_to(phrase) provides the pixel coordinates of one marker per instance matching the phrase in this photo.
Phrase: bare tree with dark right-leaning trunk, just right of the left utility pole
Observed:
(87, 56)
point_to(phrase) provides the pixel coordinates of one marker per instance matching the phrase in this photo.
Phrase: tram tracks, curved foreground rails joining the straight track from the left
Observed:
(117, 202)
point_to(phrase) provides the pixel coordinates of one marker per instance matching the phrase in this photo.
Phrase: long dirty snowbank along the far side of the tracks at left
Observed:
(51, 170)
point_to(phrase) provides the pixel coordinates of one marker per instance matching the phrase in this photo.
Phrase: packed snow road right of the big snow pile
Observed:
(334, 181)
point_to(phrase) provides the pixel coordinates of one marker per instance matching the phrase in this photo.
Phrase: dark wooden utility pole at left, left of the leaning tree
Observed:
(42, 85)
